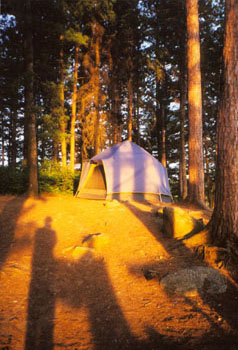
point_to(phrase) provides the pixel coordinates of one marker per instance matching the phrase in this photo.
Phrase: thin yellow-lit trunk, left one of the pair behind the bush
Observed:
(62, 118)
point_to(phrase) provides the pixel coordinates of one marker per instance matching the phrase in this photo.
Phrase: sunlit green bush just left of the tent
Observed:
(54, 179)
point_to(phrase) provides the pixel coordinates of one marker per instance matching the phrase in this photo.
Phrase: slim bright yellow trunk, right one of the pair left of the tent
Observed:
(73, 117)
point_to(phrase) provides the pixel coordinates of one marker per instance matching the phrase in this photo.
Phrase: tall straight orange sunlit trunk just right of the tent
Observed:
(196, 171)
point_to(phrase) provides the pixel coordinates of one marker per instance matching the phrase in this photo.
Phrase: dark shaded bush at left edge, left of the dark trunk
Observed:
(13, 181)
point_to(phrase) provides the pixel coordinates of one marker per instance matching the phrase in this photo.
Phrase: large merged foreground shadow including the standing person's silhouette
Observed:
(84, 283)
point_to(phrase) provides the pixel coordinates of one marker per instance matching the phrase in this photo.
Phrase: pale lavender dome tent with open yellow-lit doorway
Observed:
(124, 171)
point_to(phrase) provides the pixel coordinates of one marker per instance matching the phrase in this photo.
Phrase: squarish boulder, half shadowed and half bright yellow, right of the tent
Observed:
(178, 224)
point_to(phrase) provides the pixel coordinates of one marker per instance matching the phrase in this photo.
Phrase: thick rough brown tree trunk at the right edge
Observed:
(224, 222)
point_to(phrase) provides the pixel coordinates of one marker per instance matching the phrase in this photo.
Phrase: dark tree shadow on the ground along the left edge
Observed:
(8, 221)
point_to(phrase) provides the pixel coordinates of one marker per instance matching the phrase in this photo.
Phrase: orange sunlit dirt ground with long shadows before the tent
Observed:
(72, 276)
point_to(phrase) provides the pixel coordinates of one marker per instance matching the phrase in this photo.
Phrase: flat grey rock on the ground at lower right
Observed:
(194, 281)
